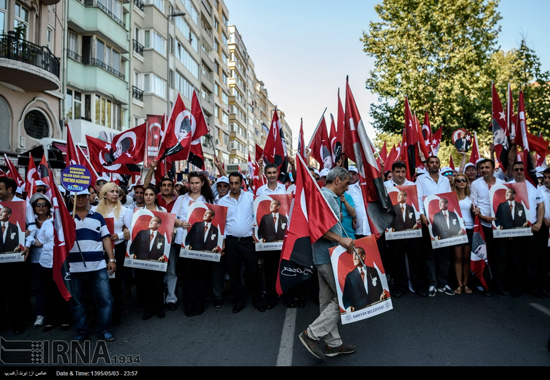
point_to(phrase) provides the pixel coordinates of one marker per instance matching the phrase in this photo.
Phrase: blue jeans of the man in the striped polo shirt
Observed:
(98, 283)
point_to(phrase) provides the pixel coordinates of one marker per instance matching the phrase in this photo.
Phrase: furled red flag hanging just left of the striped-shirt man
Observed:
(64, 239)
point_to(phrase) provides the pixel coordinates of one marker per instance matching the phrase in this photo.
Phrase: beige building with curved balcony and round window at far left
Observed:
(31, 74)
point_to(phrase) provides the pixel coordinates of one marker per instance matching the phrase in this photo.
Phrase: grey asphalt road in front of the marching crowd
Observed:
(463, 330)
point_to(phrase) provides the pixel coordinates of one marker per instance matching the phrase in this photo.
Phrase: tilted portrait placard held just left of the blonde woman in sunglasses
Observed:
(446, 222)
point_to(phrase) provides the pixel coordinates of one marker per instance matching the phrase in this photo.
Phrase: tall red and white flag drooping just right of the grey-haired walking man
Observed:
(377, 201)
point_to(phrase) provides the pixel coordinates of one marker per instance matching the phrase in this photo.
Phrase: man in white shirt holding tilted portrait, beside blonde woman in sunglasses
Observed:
(437, 260)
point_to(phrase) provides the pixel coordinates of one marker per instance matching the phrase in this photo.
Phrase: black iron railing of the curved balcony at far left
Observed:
(19, 49)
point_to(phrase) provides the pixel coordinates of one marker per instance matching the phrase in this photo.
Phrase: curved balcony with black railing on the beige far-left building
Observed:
(27, 66)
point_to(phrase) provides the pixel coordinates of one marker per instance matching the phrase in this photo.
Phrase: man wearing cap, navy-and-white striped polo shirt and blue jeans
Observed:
(88, 270)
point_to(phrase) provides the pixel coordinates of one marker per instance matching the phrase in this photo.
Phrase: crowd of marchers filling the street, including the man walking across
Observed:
(517, 263)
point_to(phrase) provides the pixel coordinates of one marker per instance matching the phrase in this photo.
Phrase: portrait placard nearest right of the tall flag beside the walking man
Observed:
(406, 223)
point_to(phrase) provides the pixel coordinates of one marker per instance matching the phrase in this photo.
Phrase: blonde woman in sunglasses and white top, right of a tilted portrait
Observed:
(461, 186)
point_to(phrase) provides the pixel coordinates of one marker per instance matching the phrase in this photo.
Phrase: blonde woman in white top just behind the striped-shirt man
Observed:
(109, 206)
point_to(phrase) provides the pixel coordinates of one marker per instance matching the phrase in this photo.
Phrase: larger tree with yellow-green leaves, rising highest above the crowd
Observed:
(436, 52)
